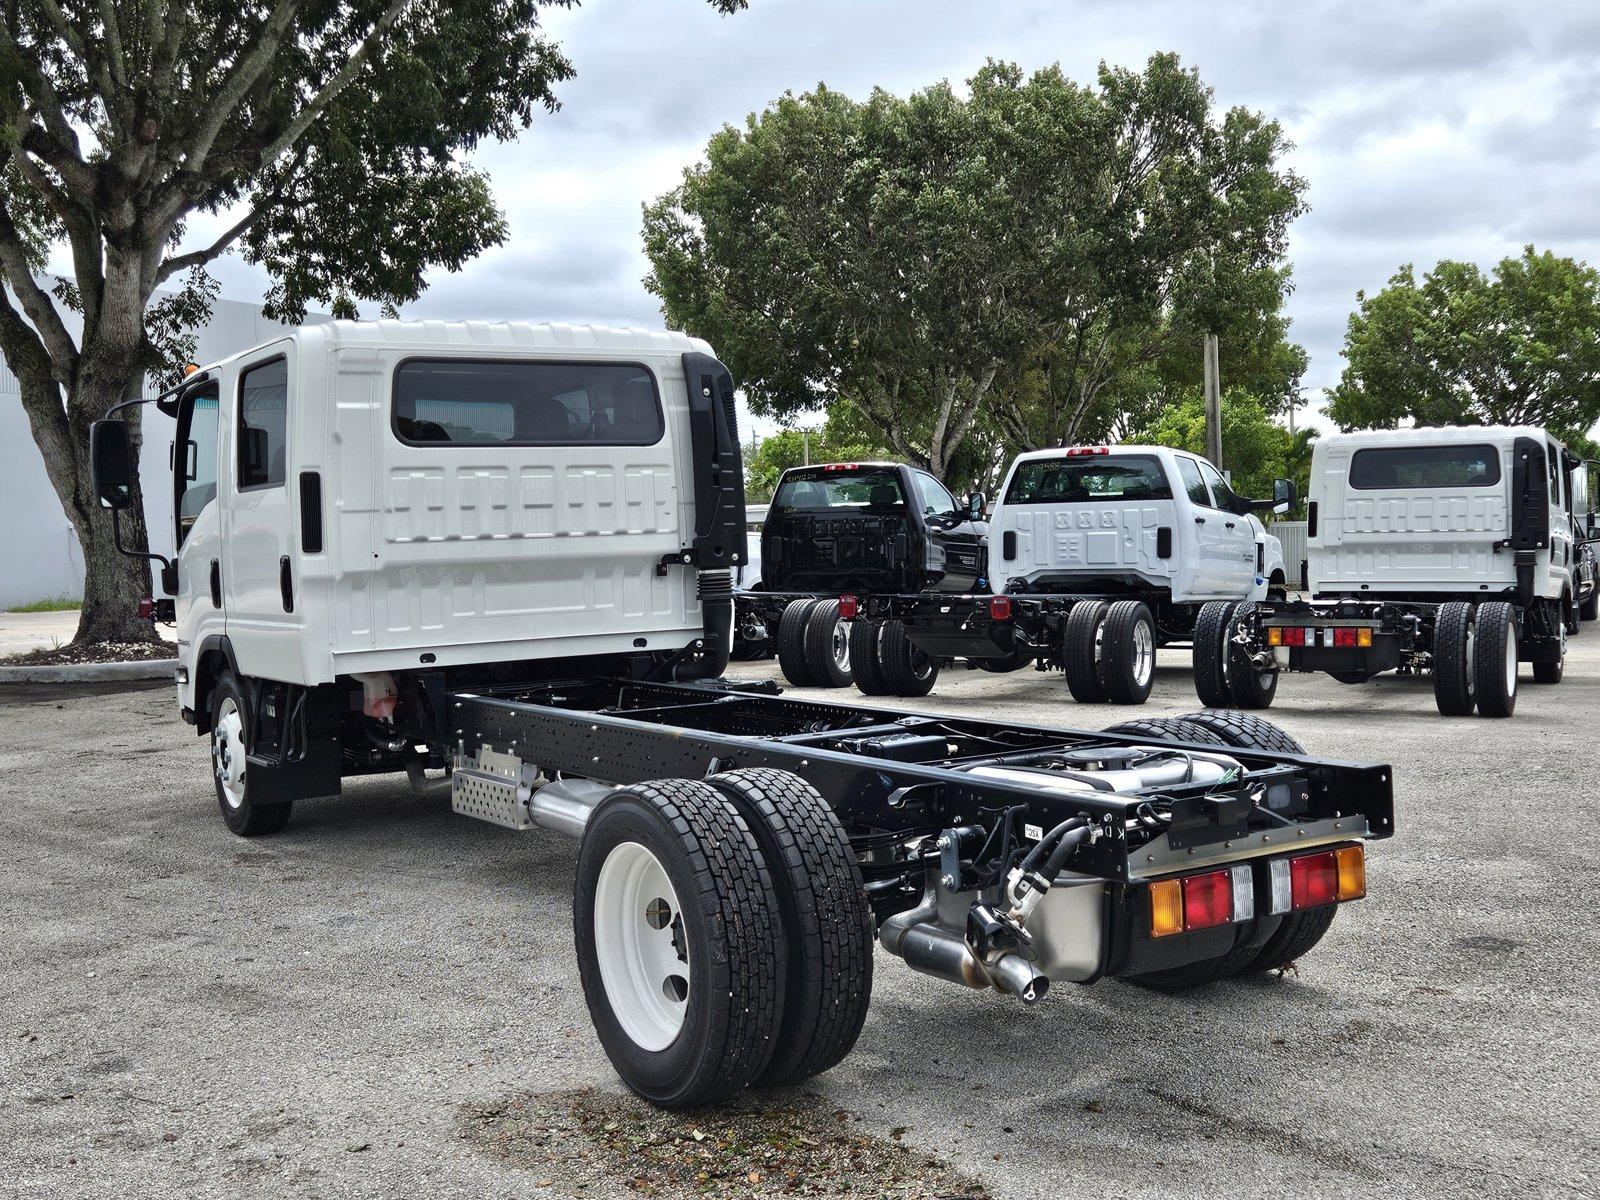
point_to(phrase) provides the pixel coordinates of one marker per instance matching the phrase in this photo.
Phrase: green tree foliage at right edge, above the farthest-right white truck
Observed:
(1521, 346)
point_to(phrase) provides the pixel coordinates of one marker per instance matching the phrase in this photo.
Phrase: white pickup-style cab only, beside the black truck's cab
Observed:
(1135, 519)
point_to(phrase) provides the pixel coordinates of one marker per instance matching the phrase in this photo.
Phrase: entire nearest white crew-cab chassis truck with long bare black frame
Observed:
(497, 559)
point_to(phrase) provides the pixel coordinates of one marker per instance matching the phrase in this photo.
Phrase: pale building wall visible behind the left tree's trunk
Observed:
(39, 551)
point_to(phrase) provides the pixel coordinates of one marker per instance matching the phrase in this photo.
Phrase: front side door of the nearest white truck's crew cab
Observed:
(198, 511)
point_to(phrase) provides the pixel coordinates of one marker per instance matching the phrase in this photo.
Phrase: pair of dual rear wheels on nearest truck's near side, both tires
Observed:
(724, 935)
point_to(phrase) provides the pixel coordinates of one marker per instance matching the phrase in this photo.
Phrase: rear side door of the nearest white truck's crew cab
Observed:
(258, 570)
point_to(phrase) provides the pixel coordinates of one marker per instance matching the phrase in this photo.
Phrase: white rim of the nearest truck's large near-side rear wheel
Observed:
(642, 946)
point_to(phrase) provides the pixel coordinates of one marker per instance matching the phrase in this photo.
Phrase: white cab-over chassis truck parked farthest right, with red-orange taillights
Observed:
(1457, 553)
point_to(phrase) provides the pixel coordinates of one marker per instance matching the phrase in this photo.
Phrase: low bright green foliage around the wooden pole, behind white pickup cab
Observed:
(1257, 450)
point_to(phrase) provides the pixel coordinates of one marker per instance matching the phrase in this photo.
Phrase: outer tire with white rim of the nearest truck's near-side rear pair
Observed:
(674, 860)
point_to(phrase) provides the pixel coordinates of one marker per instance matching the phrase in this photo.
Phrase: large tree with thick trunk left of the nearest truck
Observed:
(330, 137)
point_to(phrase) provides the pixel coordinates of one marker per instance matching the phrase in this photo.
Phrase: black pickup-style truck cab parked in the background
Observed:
(871, 527)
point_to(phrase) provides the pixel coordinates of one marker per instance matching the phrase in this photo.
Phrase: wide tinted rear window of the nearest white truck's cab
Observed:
(473, 402)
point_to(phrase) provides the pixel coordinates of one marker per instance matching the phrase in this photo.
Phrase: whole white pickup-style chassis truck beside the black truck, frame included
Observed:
(1098, 558)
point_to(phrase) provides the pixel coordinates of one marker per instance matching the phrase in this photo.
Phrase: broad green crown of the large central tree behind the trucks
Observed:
(1004, 260)
